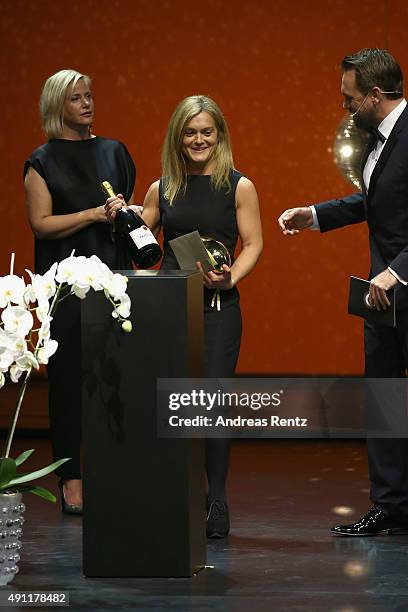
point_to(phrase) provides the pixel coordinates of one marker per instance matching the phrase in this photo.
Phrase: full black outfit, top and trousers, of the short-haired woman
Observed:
(73, 171)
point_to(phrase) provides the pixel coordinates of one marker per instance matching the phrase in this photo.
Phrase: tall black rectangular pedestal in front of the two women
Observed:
(144, 504)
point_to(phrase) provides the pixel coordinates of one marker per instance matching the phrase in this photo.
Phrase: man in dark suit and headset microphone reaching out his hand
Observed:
(372, 86)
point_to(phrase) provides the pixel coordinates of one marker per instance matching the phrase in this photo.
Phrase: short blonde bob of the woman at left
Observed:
(53, 97)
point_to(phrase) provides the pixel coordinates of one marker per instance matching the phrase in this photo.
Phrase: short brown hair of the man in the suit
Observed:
(376, 67)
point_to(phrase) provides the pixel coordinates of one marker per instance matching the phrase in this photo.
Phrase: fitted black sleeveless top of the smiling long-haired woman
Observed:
(212, 212)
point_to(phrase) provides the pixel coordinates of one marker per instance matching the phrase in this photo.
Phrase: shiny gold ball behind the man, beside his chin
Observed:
(348, 148)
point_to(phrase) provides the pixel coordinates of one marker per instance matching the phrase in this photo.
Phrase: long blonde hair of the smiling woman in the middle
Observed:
(173, 160)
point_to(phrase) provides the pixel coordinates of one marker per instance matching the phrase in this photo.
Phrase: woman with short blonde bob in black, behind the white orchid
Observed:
(65, 211)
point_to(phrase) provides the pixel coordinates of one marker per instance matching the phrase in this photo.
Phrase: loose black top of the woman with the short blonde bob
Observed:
(73, 171)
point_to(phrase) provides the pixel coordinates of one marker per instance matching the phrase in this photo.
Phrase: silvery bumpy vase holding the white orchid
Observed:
(11, 522)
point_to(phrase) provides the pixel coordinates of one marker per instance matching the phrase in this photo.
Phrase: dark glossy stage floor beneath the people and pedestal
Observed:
(279, 557)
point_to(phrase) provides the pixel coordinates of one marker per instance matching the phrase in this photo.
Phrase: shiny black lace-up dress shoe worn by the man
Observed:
(373, 523)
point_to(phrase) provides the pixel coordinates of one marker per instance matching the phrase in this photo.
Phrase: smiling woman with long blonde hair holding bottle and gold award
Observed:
(200, 190)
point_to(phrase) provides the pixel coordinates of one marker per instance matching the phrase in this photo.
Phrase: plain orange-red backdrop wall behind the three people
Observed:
(272, 65)
